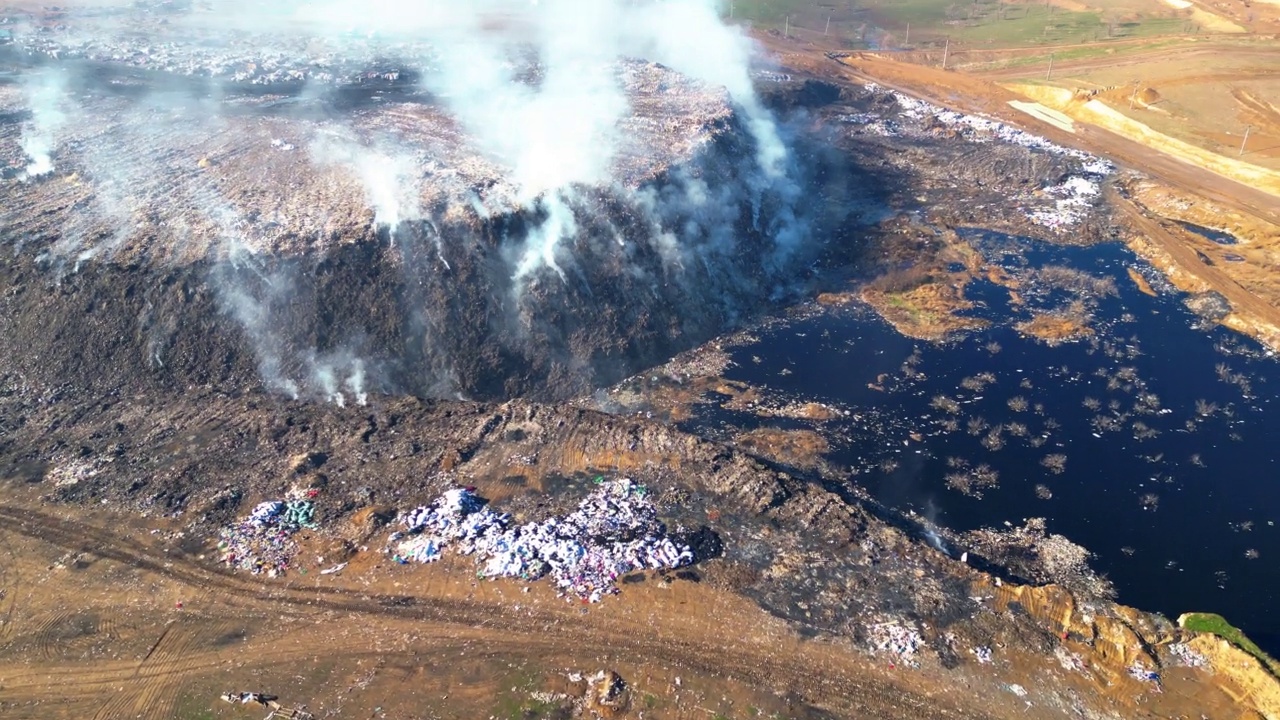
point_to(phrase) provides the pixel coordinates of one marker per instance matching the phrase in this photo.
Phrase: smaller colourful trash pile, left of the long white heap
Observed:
(264, 541)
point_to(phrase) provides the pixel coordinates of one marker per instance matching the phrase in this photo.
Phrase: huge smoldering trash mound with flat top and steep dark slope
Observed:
(349, 244)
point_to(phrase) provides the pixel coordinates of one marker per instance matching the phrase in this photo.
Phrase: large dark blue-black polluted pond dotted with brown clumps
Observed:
(1151, 444)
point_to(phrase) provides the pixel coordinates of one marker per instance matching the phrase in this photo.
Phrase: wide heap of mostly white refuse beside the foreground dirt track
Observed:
(615, 531)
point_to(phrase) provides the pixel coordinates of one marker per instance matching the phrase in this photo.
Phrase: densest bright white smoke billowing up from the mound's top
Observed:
(560, 130)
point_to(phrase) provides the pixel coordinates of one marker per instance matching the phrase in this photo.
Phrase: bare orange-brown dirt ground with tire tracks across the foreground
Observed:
(104, 621)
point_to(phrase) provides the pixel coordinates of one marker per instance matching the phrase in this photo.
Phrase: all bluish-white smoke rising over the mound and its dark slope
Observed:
(540, 90)
